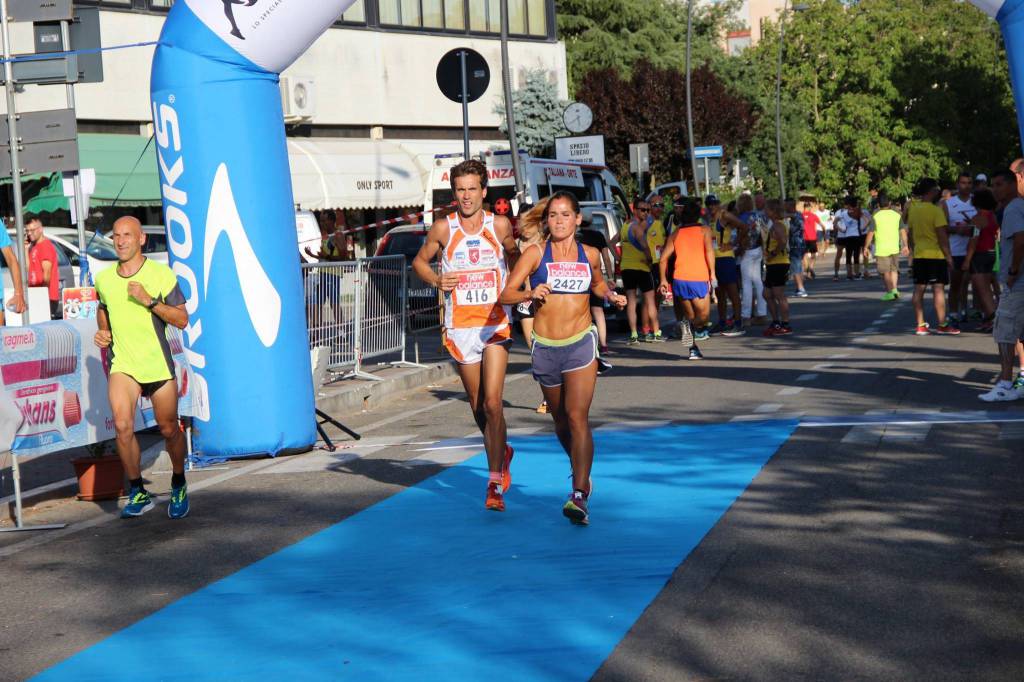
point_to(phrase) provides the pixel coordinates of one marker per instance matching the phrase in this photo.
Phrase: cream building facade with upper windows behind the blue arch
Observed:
(369, 81)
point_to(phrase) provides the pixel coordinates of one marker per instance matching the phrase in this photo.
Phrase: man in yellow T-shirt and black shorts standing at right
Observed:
(932, 262)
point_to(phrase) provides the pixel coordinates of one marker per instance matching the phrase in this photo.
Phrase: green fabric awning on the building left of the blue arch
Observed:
(126, 172)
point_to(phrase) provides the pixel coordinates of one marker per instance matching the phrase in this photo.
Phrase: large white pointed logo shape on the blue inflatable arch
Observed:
(263, 301)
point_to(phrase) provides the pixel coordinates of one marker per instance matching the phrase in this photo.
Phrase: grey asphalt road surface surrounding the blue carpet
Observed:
(879, 551)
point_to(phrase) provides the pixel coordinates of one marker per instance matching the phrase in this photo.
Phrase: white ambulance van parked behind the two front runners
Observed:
(592, 185)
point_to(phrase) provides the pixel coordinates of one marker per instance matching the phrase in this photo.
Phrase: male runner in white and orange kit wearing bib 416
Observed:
(474, 246)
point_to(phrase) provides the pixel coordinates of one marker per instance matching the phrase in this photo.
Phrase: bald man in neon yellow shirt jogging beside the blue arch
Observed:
(139, 299)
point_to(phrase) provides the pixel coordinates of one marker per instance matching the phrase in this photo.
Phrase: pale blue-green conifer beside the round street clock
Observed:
(538, 114)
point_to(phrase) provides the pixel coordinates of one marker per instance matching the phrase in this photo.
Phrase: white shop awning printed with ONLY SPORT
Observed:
(354, 175)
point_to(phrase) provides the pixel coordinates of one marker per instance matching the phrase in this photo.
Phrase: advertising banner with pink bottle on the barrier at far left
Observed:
(56, 377)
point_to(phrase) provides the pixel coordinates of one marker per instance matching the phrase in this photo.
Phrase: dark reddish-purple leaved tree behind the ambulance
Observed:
(650, 107)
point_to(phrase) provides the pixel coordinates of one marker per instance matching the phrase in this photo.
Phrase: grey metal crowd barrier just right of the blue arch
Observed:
(359, 311)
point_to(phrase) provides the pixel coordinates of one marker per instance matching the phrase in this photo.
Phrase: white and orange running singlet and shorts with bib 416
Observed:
(474, 318)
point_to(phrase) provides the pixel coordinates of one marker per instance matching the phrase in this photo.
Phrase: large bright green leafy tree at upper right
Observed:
(878, 94)
